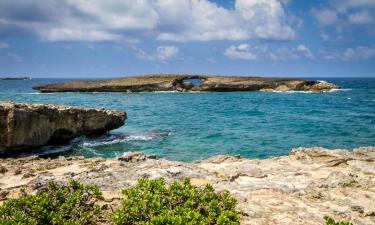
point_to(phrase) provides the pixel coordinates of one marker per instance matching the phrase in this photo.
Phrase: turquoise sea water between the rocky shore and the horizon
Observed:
(192, 126)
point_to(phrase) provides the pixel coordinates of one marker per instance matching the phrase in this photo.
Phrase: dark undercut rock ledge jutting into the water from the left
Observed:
(26, 126)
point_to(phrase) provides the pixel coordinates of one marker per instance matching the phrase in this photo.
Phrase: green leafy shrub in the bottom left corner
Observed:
(55, 204)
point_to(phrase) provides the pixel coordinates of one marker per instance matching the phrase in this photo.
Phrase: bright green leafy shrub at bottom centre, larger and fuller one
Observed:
(153, 202)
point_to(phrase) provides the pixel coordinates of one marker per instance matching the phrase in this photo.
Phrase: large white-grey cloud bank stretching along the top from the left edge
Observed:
(173, 20)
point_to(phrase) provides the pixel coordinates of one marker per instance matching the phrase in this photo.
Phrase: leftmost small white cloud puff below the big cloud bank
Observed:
(162, 53)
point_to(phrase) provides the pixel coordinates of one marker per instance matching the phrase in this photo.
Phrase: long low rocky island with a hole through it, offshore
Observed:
(187, 83)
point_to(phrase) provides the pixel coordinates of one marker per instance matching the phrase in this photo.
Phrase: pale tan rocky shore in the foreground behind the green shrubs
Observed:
(297, 189)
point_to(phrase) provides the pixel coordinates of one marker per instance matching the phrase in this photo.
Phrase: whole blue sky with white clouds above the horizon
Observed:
(113, 38)
